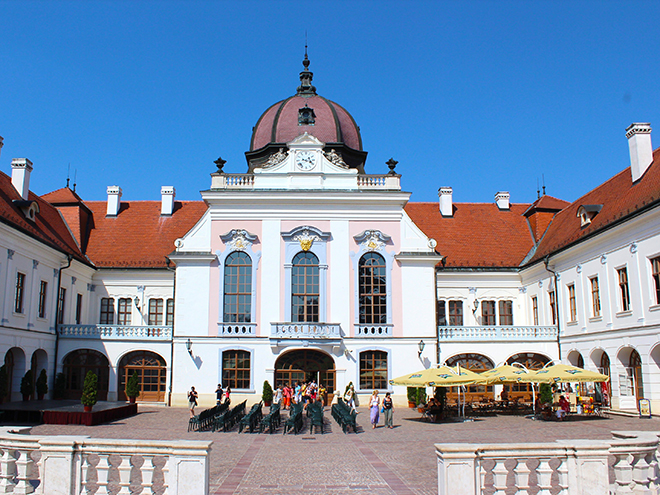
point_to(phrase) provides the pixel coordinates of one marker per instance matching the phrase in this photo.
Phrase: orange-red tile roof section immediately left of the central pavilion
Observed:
(139, 237)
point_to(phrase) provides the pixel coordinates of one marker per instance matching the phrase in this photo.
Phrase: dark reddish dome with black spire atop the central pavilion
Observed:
(308, 112)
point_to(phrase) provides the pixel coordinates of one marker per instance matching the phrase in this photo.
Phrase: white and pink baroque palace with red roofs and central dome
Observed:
(306, 266)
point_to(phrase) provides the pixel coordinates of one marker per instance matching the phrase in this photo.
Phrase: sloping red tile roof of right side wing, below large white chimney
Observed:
(619, 197)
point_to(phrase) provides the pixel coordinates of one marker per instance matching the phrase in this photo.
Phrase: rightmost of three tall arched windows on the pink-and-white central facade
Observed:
(373, 288)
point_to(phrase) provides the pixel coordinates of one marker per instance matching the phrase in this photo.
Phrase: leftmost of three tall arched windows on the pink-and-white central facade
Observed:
(238, 288)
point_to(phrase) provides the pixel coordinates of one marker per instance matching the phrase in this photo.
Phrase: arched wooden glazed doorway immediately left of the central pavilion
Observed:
(152, 371)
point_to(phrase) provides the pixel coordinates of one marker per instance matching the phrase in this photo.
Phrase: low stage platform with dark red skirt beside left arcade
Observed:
(64, 412)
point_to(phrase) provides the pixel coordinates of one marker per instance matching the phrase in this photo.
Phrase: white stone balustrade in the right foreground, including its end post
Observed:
(564, 467)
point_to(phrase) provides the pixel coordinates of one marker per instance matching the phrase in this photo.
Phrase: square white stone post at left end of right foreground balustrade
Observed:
(457, 469)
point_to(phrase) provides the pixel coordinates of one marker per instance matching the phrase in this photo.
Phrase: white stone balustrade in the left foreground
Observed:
(70, 465)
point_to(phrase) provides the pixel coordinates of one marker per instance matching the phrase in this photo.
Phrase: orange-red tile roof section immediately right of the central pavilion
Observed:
(478, 235)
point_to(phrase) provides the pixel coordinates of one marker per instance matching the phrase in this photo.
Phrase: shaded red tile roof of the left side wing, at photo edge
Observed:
(48, 227)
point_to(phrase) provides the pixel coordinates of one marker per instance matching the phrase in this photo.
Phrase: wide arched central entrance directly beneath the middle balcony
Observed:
(303, 365)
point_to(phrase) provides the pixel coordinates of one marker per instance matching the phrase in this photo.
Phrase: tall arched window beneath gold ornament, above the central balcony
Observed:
(305, 288)
